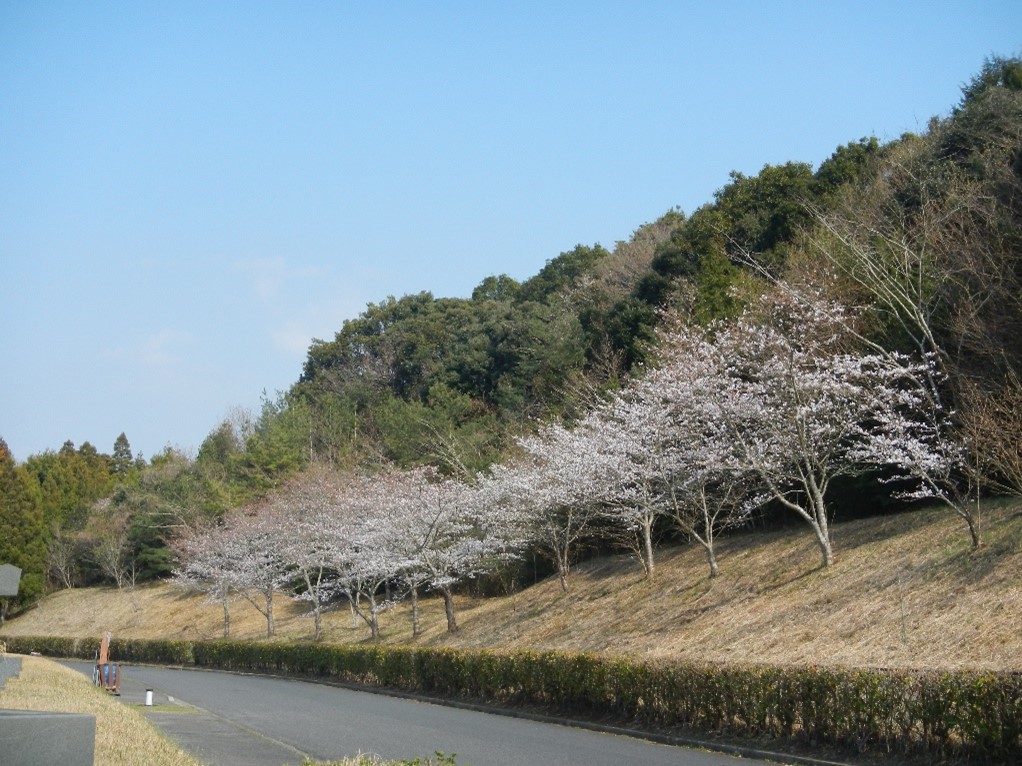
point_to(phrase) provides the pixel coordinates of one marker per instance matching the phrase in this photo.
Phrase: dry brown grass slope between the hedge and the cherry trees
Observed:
(906, 592)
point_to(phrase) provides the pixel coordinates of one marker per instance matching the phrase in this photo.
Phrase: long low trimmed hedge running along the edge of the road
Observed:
(971, 716)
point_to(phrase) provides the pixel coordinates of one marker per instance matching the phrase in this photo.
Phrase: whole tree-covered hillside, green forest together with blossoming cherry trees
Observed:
(842, 341)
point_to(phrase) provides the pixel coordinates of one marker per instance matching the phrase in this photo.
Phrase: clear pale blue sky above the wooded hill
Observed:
(191, 193)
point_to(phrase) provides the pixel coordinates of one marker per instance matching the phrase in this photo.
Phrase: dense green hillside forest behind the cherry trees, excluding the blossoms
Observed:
(920, 236)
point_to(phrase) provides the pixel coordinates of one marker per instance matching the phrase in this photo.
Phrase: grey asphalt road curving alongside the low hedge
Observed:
(226, 720)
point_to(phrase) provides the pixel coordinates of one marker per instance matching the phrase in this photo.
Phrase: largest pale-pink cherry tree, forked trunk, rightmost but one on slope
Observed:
(801, 407)
